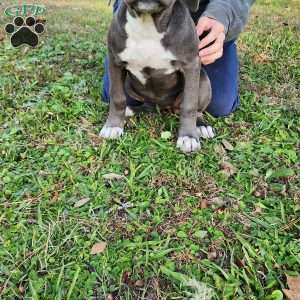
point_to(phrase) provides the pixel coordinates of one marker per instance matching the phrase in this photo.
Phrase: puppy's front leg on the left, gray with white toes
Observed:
(114, 125)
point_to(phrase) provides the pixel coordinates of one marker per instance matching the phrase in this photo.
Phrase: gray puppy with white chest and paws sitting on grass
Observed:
(153, 57)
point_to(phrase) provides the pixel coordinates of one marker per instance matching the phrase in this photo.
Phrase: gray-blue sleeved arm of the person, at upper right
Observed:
(233, 14)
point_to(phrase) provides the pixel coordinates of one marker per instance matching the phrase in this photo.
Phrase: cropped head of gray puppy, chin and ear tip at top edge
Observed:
(156, 6)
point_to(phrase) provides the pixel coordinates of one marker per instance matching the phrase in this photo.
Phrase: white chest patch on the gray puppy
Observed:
(144, 48)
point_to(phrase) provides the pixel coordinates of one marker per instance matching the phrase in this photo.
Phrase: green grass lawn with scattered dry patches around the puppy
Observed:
(233, 227)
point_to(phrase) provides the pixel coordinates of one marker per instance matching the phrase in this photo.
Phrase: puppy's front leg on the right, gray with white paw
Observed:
(188, 138)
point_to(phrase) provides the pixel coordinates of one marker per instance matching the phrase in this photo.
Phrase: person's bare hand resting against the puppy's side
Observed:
(216, 36)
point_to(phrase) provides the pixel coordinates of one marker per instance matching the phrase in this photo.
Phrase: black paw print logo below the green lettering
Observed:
(25, 31)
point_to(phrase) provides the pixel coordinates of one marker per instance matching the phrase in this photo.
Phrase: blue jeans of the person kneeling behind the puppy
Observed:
(223, 75)
